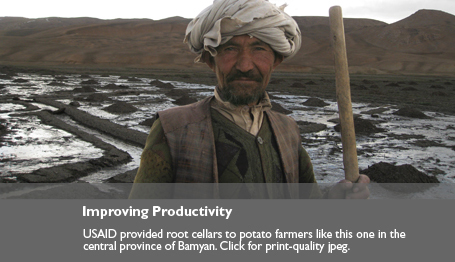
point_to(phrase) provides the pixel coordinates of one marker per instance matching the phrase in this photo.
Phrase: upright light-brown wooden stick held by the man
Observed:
(351, 168)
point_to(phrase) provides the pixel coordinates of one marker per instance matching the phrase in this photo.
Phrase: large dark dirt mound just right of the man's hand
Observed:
(389, 173)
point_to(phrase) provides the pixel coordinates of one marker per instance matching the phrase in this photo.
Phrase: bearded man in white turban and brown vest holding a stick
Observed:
(234, 136)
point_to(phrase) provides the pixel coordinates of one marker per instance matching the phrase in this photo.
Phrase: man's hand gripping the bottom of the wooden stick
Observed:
(345, 189)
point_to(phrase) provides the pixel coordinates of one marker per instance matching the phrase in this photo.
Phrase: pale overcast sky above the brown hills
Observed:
(384, 10)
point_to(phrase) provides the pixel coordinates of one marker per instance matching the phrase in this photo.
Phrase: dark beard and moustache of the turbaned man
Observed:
(242, 94)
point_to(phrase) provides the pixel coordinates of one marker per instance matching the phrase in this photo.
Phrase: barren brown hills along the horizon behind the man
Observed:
(423, 43)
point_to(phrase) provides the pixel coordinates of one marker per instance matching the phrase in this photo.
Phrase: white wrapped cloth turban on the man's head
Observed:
(225, 19)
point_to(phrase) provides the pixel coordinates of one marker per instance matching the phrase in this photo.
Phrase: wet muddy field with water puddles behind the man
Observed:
(90, 125)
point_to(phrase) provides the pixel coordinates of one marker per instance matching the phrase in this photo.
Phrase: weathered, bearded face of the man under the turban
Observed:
(243, 67)
